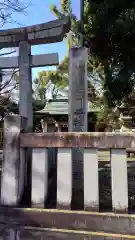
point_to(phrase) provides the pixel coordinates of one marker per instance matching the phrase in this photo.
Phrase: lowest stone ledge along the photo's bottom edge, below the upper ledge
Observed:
(58, 234)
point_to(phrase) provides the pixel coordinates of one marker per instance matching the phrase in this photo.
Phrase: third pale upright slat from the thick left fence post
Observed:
(91, 185)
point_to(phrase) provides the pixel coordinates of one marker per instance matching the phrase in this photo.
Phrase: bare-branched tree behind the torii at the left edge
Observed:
(7, 78)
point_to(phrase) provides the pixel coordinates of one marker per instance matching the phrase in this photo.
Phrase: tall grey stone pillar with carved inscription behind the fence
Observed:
(78, 109)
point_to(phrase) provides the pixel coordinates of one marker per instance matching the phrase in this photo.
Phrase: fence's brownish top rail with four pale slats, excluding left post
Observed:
(90, 142)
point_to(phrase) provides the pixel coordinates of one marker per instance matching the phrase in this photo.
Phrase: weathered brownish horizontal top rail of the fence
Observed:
(82, 140)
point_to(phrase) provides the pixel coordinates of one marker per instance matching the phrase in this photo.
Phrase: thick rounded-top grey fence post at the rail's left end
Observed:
(12, 180)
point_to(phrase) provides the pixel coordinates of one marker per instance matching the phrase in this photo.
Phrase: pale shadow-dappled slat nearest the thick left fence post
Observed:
(39, 176)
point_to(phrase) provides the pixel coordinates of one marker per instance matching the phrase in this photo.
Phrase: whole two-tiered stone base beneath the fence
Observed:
(22, 223)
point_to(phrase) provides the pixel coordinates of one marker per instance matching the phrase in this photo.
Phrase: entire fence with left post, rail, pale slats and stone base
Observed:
(35, 219)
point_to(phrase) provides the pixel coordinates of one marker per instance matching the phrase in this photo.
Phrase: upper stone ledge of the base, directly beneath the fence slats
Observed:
(70, 221)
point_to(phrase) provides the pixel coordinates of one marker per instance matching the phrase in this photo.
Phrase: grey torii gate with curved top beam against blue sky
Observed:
(23, 38)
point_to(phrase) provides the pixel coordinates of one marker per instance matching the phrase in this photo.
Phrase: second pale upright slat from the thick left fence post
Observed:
(64, 179)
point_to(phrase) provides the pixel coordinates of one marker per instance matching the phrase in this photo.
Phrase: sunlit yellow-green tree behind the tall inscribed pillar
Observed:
(60, 77)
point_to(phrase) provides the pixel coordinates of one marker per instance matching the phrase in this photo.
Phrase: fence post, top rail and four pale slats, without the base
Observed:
(17, 143)
